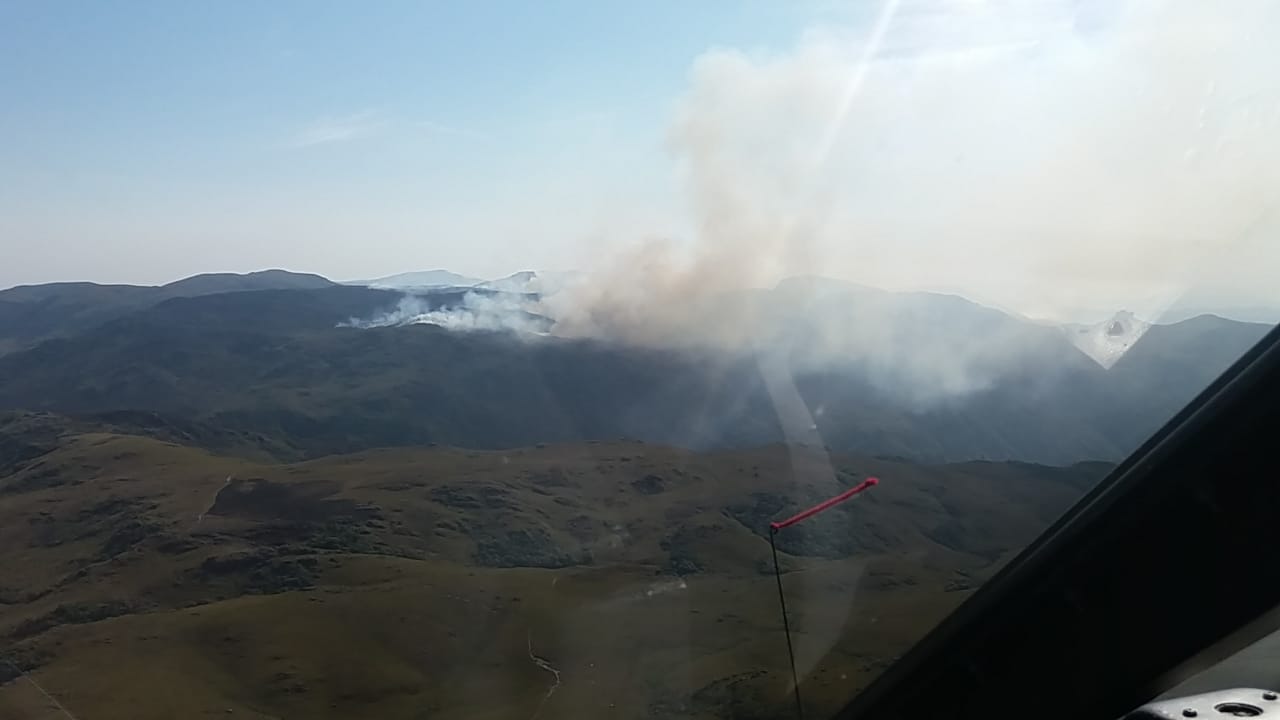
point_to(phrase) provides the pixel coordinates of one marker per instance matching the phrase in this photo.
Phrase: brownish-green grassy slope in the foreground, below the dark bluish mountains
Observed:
(140, 582)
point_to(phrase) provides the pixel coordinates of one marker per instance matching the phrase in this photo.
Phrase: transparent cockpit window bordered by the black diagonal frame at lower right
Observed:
(469, 362)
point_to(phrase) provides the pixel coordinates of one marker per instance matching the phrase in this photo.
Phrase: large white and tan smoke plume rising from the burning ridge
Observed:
(1052, 157)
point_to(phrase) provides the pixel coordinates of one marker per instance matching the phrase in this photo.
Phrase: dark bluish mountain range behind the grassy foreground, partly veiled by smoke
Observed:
(271, 364)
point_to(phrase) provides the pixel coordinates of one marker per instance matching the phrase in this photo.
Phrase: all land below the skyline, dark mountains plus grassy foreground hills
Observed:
(275, 496)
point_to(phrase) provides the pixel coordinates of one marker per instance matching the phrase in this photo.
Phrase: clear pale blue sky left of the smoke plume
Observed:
(141, 142)
